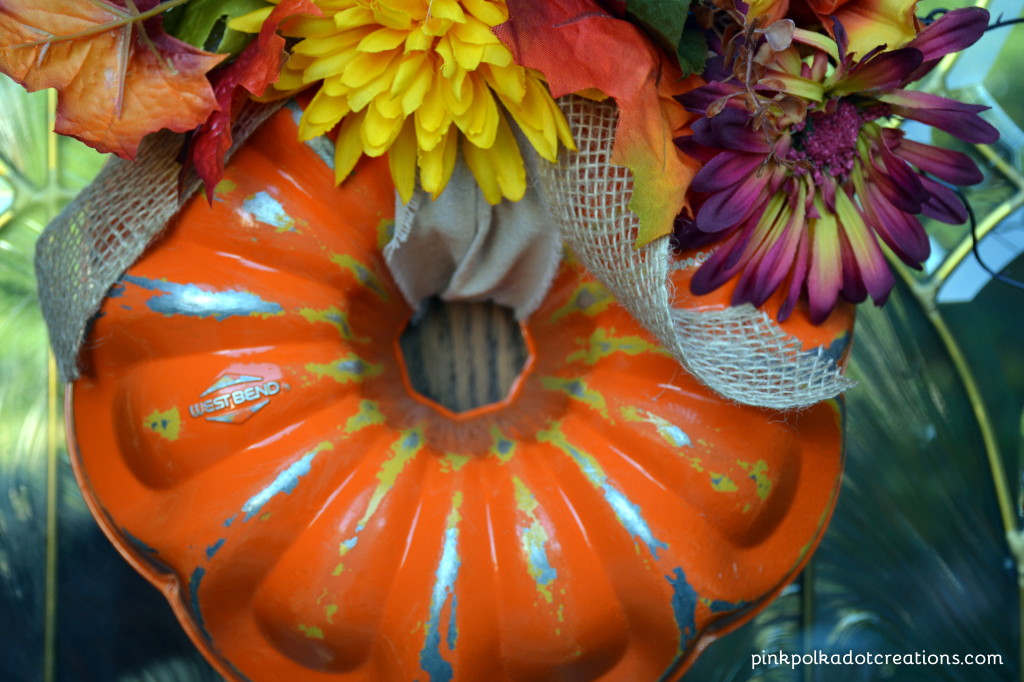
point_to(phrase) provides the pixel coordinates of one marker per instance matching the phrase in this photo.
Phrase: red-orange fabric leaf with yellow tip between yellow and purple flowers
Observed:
(583, 45)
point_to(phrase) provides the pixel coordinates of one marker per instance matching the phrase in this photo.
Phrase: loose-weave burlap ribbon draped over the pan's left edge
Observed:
(108, 227)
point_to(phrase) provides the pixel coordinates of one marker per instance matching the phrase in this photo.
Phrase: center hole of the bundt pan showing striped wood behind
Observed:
(463, 356)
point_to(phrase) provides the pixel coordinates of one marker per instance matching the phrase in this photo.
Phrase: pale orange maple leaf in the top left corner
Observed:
(117, 74)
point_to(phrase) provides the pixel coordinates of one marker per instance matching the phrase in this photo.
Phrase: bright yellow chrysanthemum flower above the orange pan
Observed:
(400, 74)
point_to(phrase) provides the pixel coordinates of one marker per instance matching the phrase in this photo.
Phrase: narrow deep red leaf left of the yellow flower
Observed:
(257, 68)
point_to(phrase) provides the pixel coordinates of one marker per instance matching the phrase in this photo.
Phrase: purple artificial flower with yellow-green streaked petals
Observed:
(802, 179)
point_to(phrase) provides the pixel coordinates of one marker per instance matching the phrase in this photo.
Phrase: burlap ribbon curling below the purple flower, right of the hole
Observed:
(739, 352)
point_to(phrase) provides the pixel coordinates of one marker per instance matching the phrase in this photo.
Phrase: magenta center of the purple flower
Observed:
(828, 144)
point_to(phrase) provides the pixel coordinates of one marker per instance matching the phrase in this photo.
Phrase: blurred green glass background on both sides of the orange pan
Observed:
(917, 558)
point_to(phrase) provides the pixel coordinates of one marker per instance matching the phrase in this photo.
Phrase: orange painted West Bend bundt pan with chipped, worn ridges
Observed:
(247, 437)
